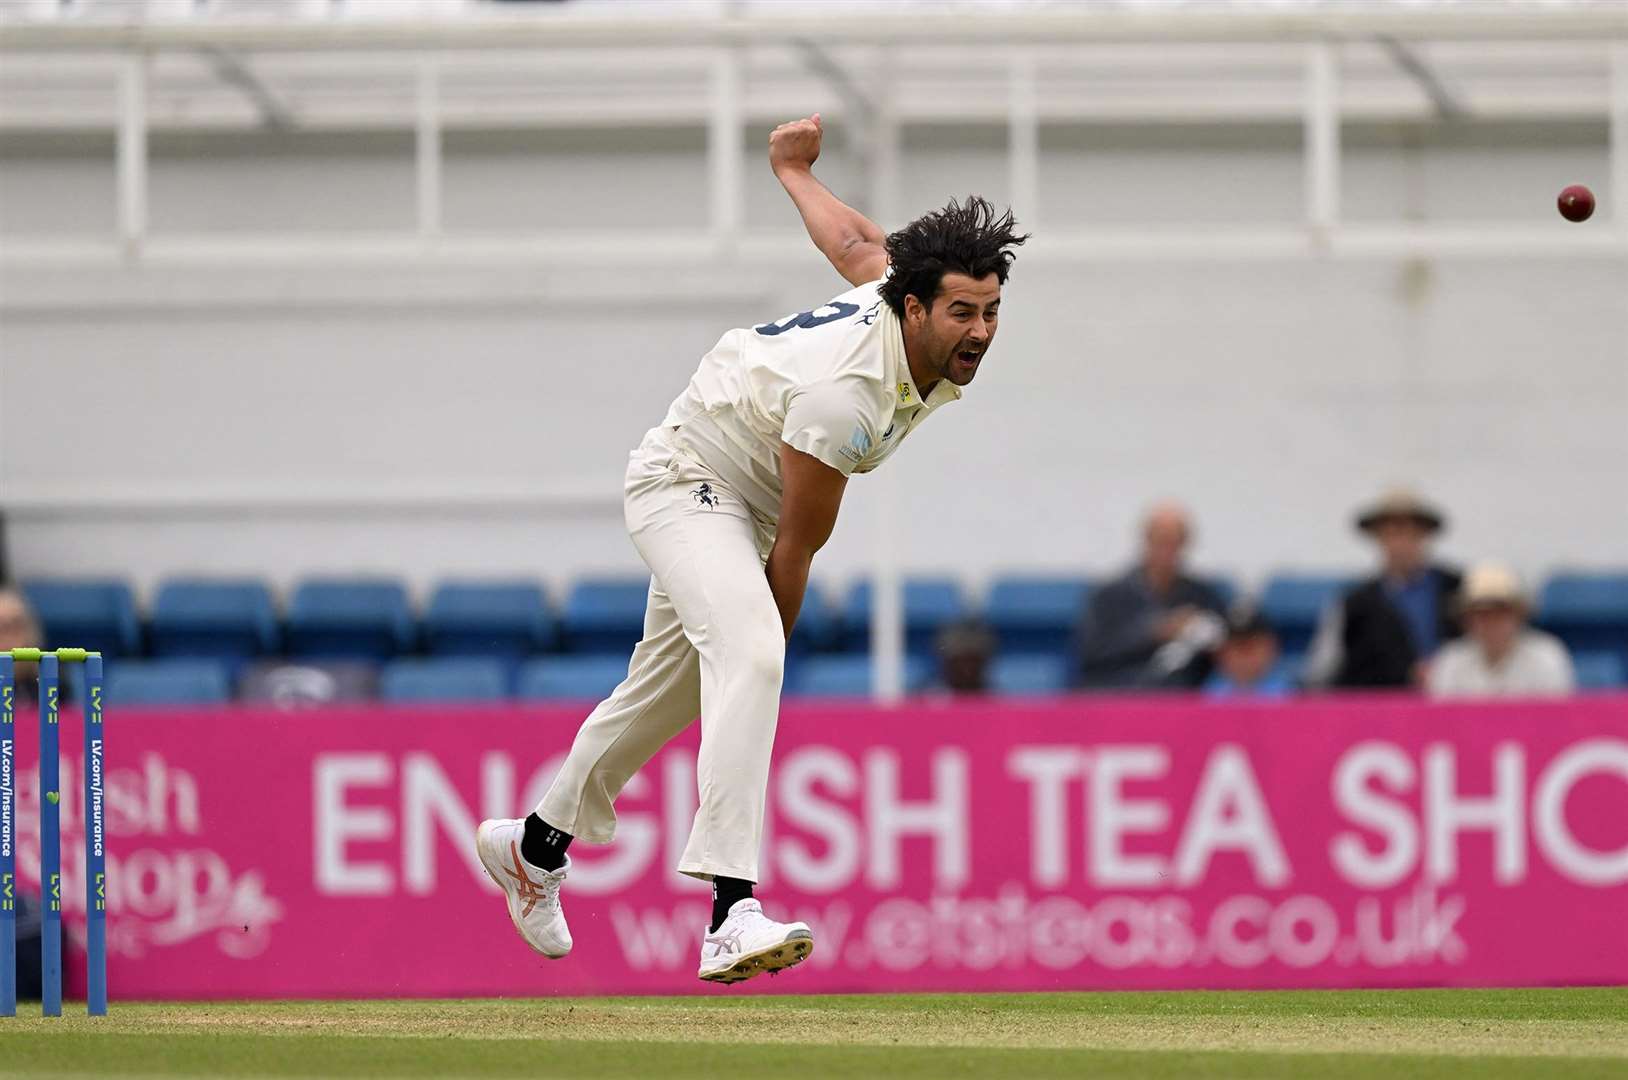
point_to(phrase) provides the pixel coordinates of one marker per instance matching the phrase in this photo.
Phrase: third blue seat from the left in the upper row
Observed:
(351, 620)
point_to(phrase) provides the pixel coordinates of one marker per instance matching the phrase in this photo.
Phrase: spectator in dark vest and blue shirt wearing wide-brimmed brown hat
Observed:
(1385, 631)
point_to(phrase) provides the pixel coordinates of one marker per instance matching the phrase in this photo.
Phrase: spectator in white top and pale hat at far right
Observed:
(1500, 656)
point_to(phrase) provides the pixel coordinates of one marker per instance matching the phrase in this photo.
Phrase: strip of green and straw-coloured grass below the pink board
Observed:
(1489, 1035)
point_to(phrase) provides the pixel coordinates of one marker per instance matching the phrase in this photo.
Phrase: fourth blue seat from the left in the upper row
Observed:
(505, 620)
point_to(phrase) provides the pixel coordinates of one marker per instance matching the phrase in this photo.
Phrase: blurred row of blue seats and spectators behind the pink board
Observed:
(1416, 625)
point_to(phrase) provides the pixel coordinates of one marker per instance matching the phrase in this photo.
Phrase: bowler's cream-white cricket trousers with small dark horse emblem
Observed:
(714, 646)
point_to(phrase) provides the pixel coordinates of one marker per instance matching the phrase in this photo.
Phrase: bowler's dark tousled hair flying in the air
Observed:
(963, 239)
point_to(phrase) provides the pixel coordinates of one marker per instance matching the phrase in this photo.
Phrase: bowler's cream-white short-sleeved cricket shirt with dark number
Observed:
(833, 382)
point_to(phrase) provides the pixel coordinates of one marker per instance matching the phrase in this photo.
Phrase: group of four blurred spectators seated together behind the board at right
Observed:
(1414, 625)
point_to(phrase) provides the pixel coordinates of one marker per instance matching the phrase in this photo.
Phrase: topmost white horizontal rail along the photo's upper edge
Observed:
(476, 24)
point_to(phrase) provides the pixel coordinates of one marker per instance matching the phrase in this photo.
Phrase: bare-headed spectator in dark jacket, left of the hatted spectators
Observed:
(1155, 626)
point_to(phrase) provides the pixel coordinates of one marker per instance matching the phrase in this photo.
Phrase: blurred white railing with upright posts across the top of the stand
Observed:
(1319, 66)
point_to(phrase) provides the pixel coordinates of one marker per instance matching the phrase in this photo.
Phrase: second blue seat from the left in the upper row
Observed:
(224, 620)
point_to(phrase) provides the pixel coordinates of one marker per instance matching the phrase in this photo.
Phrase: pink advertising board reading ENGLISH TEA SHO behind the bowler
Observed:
(958, 846)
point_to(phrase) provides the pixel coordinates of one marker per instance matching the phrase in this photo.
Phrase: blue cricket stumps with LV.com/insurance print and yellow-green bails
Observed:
(51, 832)
